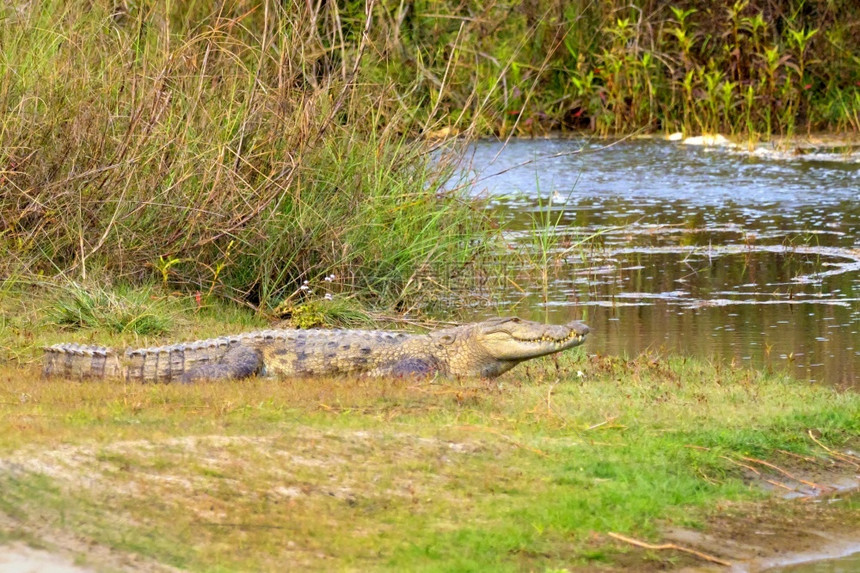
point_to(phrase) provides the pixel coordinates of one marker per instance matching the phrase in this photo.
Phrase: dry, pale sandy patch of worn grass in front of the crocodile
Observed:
(176, 468)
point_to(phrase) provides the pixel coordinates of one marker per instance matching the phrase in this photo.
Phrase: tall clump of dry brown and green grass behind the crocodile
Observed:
(240, 152)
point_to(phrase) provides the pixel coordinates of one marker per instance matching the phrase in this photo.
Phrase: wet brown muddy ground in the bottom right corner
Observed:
(811, 517)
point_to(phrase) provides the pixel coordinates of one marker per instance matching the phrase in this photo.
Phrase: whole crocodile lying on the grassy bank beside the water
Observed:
(482, 349)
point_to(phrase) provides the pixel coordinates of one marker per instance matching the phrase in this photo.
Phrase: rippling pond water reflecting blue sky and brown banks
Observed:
(703, 251)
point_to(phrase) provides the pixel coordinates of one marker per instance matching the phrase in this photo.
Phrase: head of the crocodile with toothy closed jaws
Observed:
(495, 346)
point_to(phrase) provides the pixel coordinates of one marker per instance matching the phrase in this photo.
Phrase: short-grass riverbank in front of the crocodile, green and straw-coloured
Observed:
(534, 470)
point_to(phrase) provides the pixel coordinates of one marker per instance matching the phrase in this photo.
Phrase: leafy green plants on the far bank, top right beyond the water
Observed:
(741, 67)
